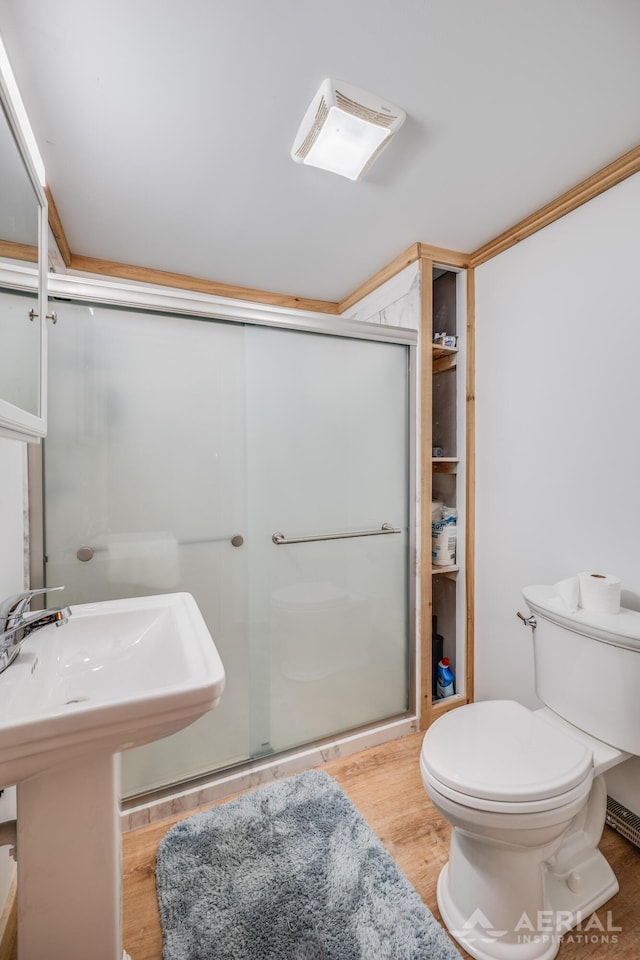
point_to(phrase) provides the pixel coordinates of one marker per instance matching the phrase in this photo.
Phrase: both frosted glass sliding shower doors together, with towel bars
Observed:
(266, 471)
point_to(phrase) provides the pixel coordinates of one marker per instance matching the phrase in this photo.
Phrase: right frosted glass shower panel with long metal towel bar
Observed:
(327, 447)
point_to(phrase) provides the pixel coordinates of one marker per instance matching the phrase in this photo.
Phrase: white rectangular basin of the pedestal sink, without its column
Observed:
(117, 674)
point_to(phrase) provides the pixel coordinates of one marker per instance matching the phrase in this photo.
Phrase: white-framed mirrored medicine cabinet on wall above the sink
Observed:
(23, 277)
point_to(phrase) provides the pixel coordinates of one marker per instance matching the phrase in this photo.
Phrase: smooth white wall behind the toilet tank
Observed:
(558, 438)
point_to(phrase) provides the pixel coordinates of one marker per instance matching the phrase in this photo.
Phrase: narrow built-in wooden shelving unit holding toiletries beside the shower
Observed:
(446, 589)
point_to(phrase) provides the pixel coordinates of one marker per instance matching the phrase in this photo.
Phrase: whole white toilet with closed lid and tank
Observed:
(523, 790)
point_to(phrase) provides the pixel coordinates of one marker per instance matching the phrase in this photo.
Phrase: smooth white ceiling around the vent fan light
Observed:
(166, 125)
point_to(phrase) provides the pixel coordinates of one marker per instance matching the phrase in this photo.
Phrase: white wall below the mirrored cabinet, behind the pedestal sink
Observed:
(12, 526)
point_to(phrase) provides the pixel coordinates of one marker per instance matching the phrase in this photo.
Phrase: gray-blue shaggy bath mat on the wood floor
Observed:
(289, 872)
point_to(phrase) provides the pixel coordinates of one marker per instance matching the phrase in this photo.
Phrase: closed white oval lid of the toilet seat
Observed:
(500, 750)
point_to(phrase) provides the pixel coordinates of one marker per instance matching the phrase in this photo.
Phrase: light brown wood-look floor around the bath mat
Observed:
(384, 783)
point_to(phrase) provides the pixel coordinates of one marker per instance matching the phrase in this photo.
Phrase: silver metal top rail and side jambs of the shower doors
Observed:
(208, 307)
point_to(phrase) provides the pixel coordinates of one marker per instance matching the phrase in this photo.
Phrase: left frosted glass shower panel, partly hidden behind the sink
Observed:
(146, 475)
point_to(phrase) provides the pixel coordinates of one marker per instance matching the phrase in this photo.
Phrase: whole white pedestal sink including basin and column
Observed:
(118, 674)
